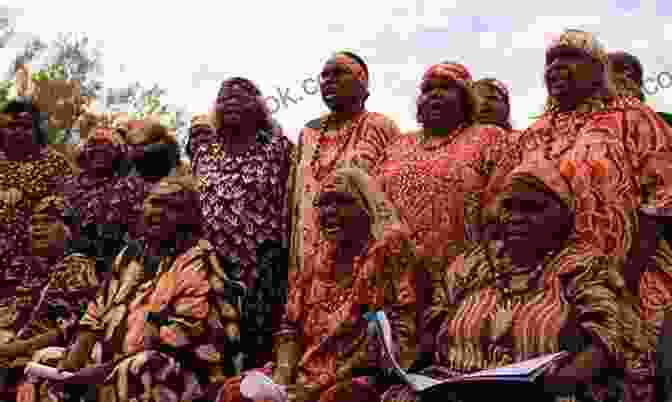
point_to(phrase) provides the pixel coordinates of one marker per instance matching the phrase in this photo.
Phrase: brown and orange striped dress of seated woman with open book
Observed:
(482, 321)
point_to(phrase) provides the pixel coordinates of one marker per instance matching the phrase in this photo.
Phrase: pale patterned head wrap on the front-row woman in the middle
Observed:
(356, 182)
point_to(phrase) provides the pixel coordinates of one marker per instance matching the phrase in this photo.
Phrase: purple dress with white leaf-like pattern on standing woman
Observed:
(244, 198)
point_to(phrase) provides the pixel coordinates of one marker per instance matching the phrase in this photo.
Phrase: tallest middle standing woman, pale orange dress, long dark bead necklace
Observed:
(347, 133)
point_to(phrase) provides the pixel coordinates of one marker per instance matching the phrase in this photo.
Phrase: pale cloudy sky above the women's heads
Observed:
(190, 47)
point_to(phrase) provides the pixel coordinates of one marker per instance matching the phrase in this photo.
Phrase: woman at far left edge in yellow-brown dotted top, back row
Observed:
(29, 171)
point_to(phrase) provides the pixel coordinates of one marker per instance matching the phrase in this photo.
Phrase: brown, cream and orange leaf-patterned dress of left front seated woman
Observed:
(190, 290)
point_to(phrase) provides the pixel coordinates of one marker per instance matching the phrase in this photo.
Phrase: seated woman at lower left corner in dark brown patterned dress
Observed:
(50, 287)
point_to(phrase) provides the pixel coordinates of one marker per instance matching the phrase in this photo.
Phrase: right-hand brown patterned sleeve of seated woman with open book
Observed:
(597, 292)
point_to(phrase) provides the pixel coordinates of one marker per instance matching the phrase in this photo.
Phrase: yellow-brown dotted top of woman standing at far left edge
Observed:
(36, 179)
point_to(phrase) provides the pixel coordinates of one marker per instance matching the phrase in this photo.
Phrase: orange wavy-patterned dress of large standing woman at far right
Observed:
(608, 149)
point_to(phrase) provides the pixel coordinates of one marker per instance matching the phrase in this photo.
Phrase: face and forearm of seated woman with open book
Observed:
(540, 219)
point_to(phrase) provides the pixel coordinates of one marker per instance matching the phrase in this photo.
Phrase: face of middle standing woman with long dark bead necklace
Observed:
(338, 85)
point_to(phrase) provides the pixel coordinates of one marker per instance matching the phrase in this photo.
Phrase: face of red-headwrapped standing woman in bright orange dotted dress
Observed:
(442, 106)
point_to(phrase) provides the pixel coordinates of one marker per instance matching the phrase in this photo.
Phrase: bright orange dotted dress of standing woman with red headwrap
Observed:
(427, 181)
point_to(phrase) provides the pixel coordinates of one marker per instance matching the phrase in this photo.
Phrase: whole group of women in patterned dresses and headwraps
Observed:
(139, 276)
